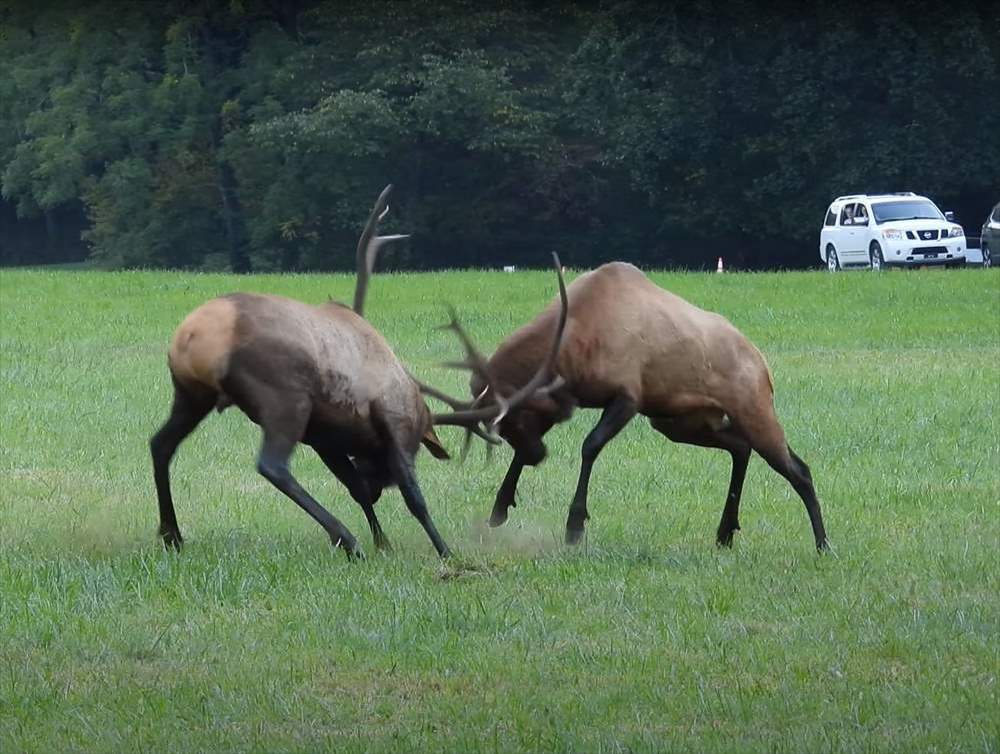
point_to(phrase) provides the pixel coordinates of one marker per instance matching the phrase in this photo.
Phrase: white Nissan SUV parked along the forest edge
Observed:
(884, 230)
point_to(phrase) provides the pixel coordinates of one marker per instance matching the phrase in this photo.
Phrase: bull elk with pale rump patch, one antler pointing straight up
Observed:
(319, 375)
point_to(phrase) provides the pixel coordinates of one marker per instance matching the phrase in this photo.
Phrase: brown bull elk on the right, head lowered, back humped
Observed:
(631, 348)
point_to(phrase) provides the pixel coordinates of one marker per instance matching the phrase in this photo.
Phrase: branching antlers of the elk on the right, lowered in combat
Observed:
(465, 413)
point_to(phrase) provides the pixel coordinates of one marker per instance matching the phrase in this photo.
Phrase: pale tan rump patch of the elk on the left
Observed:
(200, 349)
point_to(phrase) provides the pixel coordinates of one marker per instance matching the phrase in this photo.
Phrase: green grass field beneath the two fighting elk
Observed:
(260, 637)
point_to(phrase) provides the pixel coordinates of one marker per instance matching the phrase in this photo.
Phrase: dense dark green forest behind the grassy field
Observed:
(253, 135)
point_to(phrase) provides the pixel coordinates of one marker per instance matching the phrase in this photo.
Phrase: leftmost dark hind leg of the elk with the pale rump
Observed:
(186, 413)
